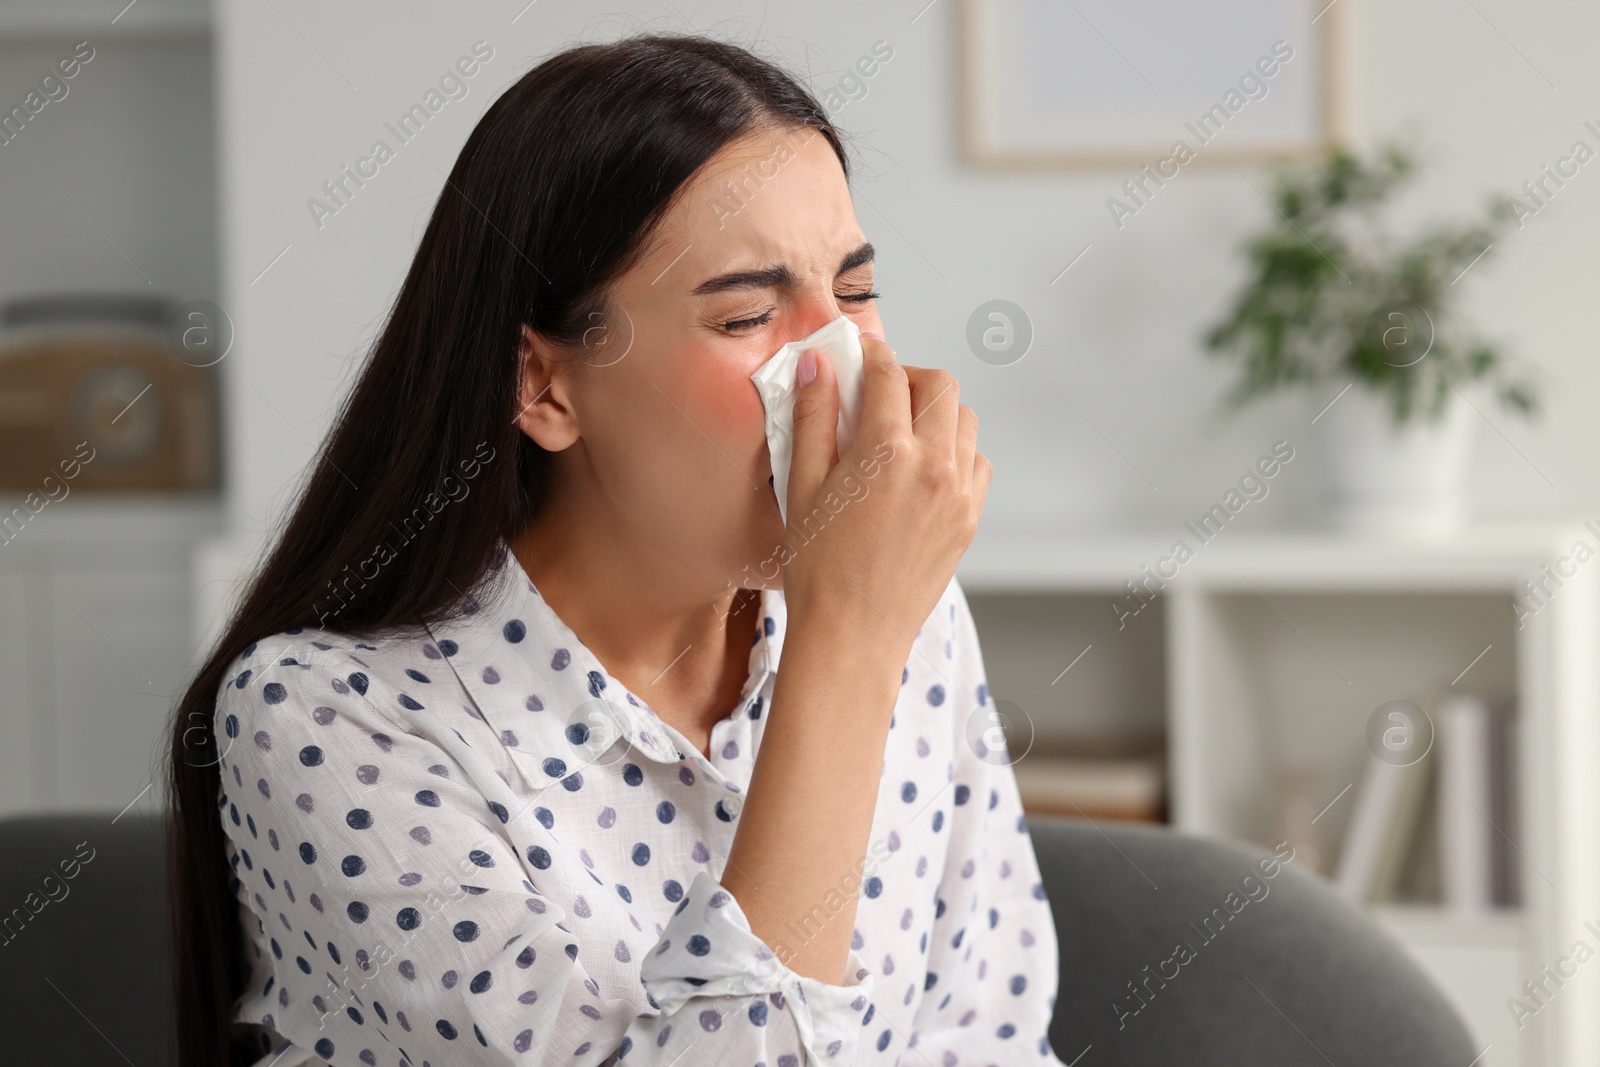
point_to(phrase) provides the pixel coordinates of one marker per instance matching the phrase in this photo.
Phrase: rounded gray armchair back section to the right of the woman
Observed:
(1284, 972)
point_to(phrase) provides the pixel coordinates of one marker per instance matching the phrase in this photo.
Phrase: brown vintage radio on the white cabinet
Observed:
(111, 386)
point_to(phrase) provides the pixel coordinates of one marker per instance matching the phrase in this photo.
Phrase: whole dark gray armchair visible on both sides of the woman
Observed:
(1297, 977)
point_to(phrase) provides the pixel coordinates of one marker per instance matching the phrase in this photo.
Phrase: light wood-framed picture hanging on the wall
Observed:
(1082, 84)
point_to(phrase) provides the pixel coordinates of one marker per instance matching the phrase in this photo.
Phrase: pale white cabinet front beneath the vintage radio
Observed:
(95, 645)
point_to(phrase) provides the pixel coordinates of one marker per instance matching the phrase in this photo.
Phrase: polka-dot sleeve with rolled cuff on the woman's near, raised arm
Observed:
(415, 917)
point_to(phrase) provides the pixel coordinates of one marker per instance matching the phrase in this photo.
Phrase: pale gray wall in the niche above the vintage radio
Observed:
(110, 188)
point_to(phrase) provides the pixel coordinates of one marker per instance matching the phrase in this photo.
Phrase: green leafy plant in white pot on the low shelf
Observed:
(1369, 326)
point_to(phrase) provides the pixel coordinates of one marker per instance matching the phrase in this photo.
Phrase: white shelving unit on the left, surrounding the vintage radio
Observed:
(98, 591)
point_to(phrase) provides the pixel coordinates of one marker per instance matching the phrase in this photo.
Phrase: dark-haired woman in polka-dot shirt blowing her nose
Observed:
(495, 764)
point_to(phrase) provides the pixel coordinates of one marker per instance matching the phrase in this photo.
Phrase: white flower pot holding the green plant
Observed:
(1391, 482)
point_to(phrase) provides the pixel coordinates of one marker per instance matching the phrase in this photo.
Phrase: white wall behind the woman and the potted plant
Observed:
(306, 89)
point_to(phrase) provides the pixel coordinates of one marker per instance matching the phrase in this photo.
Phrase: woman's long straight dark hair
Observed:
(550, 202)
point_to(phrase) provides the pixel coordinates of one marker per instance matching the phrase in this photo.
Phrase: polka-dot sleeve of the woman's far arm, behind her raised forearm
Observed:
(993, 951)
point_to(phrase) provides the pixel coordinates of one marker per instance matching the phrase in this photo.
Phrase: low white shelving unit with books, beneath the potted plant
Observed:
(1278, 649)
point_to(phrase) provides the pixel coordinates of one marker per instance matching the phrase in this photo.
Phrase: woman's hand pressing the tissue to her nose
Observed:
(886, 559)
